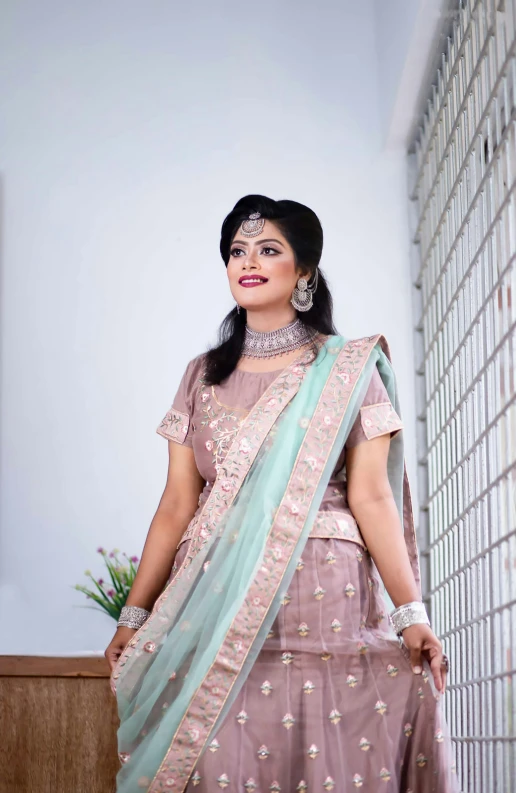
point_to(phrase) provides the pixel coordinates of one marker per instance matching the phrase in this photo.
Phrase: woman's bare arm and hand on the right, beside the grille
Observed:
(372, 503)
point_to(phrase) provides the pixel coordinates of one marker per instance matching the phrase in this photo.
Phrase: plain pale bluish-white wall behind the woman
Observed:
(129, 131)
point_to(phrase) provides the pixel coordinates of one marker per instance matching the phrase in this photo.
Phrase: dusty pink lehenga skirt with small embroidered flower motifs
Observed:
(331, 702)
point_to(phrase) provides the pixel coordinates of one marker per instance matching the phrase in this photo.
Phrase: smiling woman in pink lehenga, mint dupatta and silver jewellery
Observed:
(268, 662)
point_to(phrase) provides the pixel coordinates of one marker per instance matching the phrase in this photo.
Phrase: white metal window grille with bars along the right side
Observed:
(463, 185)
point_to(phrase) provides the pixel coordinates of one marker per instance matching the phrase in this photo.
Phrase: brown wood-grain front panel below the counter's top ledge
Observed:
(58, 735)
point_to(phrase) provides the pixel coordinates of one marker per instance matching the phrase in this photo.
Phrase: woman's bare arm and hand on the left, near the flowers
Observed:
(175, 511)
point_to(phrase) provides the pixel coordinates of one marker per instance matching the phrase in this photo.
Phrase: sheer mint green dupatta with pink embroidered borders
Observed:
(181, 672)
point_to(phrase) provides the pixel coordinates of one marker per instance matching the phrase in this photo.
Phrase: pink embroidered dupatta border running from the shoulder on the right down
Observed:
(289, 520)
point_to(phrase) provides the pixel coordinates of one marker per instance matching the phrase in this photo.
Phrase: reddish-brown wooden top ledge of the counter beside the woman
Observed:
(49, 666)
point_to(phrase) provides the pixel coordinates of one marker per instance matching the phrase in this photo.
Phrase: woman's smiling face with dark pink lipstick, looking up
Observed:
(262, 269)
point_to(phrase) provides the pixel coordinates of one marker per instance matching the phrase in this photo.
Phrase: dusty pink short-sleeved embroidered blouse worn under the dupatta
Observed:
(207, 418)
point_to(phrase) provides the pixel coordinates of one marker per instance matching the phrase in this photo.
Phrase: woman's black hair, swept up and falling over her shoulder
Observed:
(303, 231)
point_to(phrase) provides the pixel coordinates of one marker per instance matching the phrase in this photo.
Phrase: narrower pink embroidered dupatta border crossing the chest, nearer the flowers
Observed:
(230, 477)
